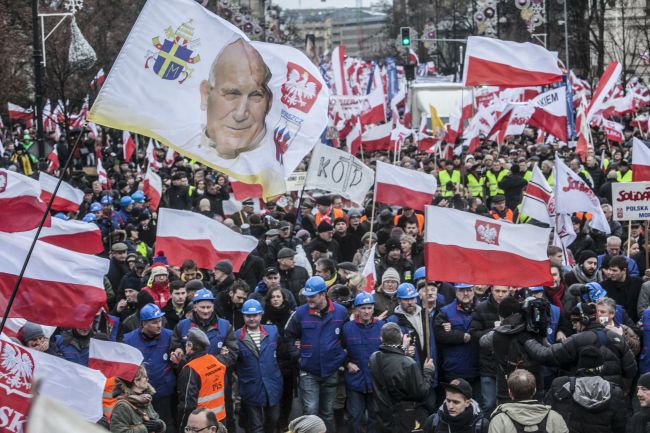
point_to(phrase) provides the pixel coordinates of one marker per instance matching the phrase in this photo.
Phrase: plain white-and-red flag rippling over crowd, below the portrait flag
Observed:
(184, 234)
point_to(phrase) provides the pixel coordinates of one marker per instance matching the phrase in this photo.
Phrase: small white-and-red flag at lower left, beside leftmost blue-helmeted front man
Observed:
(114, 359)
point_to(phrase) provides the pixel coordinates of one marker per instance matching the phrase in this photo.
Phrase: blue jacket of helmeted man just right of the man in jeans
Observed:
(361, 341)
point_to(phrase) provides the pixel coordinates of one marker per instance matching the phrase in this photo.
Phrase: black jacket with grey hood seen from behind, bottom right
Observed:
(588, 404)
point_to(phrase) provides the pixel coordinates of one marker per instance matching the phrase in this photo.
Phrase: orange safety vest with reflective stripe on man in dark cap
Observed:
(213, 377)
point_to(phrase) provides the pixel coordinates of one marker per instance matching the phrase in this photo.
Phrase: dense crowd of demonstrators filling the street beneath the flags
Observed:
(293, 331)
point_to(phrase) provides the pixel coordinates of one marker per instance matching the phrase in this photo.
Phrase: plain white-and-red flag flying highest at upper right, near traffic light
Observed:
(493, 62)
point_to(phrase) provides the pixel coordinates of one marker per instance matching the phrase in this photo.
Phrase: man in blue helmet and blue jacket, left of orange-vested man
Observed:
(153, 341)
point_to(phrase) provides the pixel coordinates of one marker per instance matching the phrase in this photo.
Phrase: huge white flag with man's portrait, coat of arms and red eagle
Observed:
(192, 80)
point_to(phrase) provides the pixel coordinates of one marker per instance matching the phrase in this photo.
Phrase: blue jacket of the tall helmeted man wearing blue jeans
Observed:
(321, 353)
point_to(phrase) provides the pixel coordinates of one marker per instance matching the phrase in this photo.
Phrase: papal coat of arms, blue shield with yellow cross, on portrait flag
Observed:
(174, 57)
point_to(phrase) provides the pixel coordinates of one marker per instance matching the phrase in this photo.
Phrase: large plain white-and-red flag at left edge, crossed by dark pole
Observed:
(60, 287)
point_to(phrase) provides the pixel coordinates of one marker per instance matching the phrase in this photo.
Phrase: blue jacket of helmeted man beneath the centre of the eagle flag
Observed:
(459, 359)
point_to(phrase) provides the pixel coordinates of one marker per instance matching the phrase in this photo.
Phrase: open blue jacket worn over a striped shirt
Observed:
(260, 378)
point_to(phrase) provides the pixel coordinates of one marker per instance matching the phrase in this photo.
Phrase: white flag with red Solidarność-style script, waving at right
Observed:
(572, 194)
